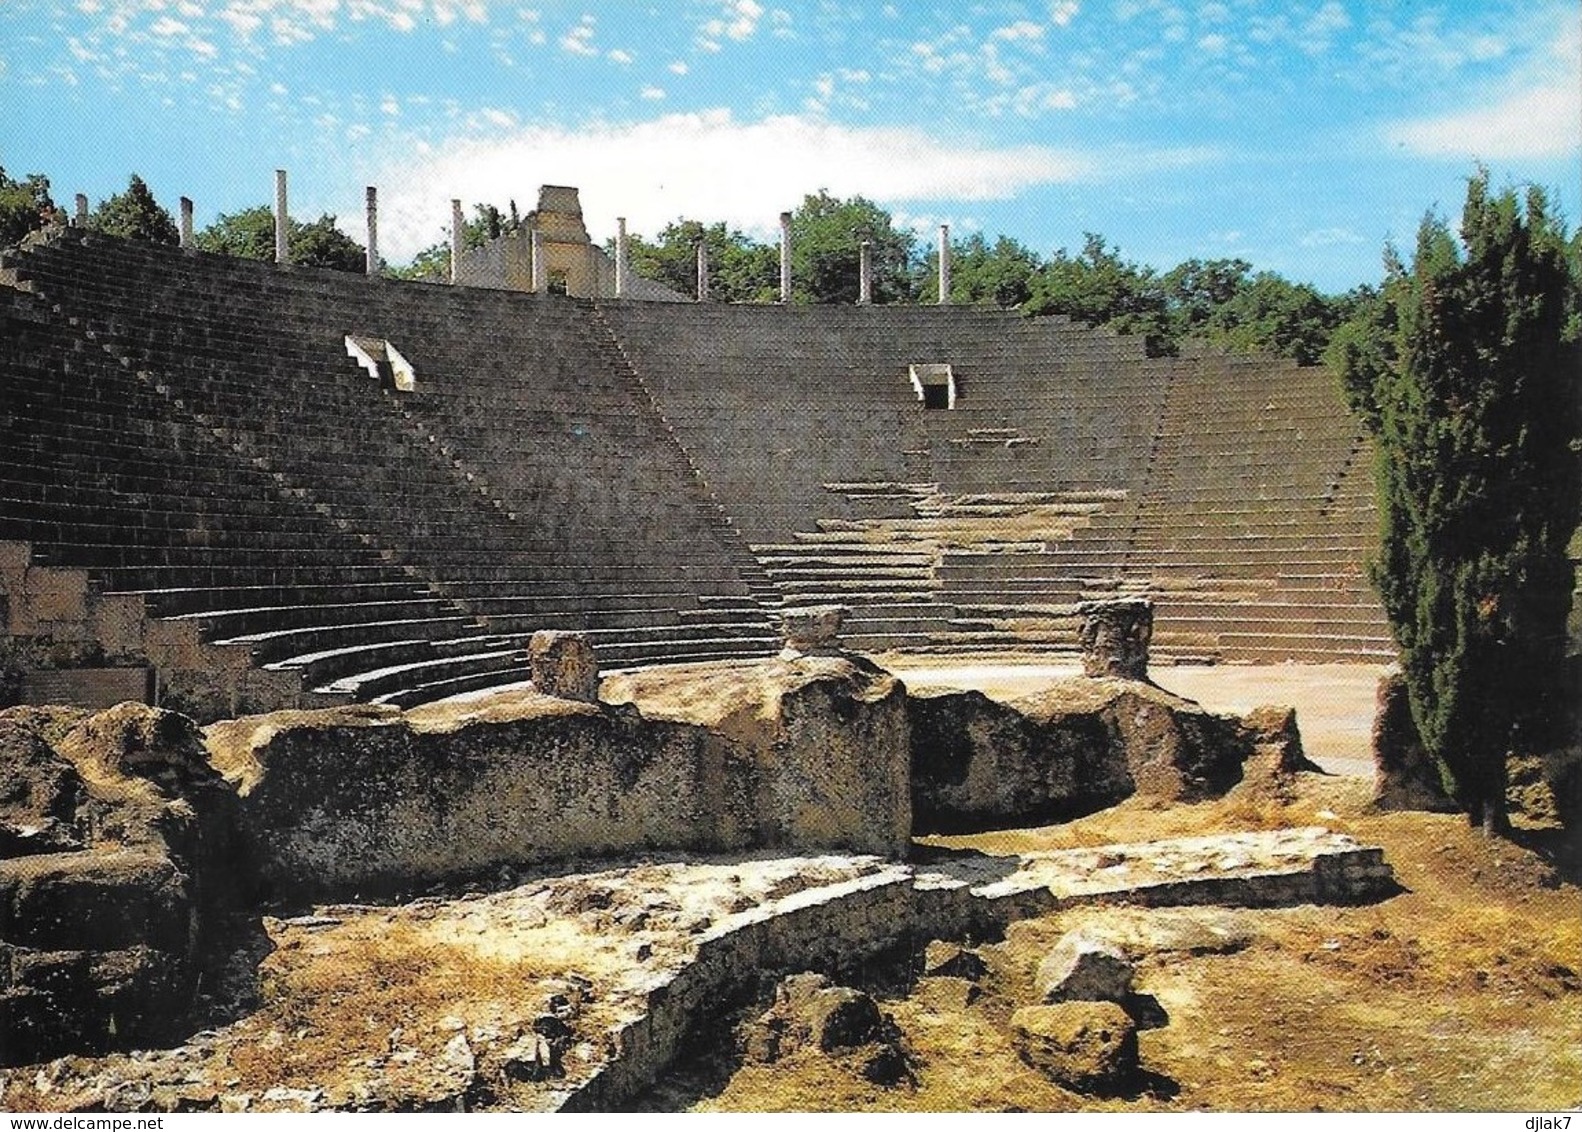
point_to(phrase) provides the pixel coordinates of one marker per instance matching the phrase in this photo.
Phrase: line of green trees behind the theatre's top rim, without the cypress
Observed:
(1222, 303)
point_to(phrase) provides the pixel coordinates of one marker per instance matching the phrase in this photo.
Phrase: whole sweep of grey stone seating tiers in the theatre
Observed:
(659, 443)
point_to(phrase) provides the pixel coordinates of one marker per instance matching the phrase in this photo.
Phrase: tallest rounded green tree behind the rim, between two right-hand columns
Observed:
(827, 236)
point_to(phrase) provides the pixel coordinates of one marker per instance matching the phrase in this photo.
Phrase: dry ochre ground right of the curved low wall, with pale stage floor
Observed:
(1461, 994)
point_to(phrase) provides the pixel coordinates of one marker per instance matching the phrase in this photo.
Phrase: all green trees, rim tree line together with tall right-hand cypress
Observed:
(1466, 366)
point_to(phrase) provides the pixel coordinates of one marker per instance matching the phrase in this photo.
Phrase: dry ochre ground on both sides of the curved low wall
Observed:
(1459, 994)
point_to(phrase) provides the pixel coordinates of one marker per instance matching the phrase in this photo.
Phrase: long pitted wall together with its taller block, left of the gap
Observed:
(347, 801)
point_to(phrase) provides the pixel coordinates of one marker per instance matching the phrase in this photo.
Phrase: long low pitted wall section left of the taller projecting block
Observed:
(361, 801)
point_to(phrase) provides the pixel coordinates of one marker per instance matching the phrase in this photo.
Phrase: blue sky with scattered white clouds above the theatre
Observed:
(1298, 137)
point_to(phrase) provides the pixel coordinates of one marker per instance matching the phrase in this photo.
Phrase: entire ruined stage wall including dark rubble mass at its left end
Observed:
(131, 836)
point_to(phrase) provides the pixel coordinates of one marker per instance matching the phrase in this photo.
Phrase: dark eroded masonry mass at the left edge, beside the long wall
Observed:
(118, 864)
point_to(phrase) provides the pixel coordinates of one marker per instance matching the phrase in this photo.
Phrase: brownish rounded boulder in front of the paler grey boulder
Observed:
(1088, 1047)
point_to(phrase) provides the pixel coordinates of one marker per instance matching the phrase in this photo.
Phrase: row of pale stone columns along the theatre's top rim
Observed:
(540, 271)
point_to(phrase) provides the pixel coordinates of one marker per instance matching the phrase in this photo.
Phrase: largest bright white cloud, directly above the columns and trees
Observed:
(713, 167)
